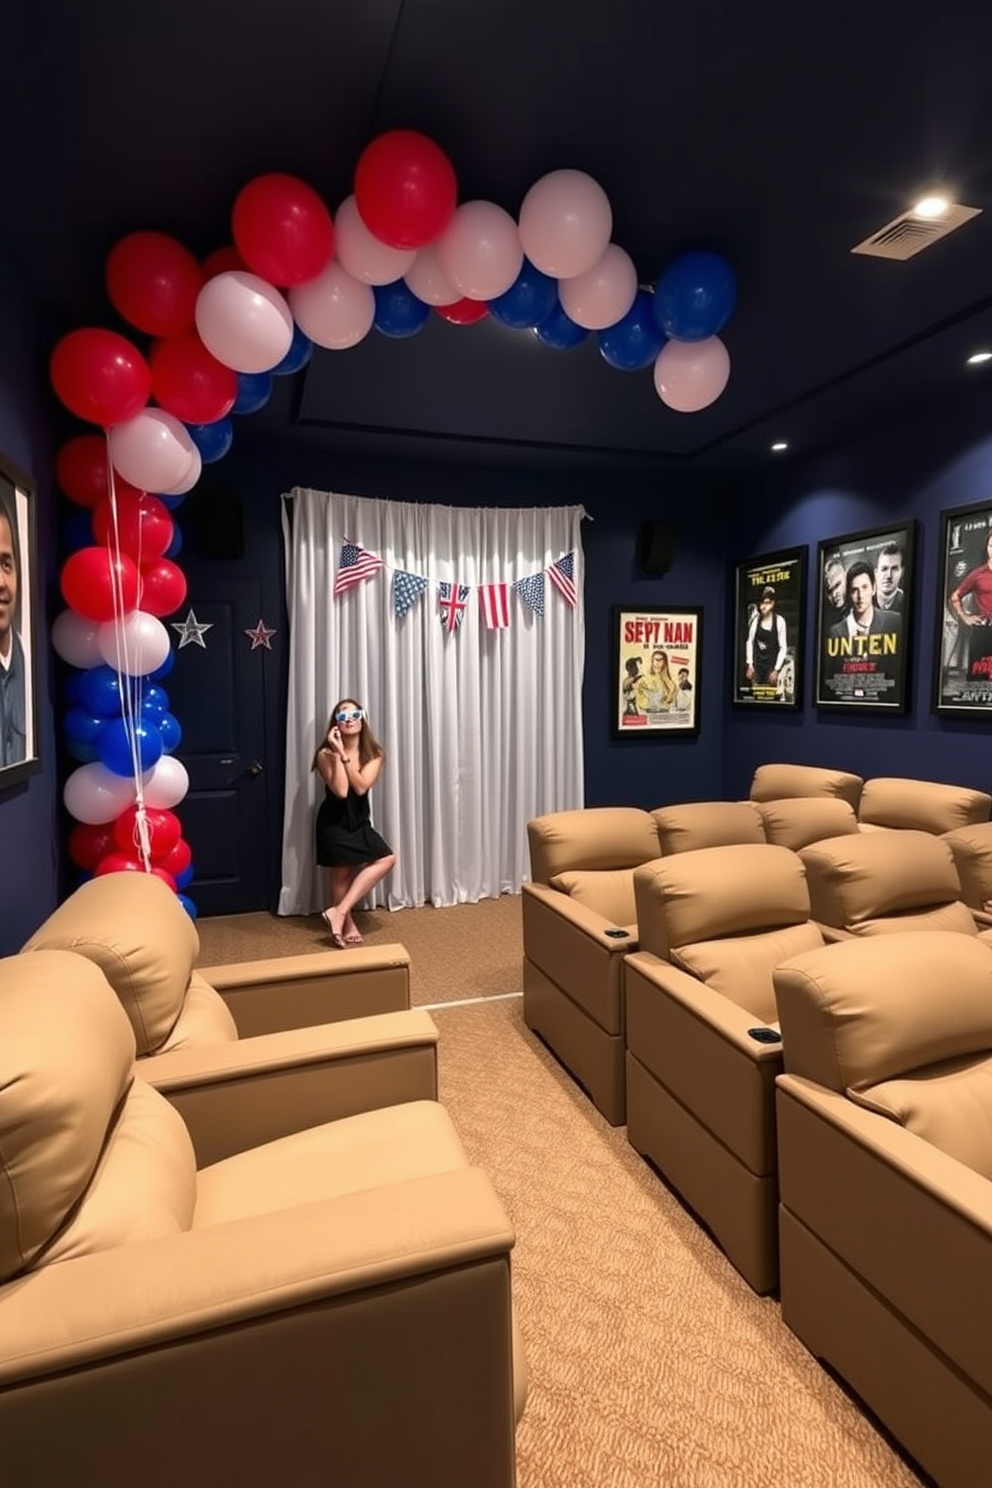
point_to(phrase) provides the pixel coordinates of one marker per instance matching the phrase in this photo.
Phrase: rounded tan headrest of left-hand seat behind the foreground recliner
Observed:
(135, 928)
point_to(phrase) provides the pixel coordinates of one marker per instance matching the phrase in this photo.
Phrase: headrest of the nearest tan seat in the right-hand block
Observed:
(871, 1010)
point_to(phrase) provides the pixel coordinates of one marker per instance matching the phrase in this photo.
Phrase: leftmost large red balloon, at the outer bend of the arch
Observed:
(100, 377)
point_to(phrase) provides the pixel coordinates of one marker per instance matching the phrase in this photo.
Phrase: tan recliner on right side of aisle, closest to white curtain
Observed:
(579, 920)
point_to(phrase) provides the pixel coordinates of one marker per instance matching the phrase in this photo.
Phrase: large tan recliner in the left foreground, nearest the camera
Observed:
(265, 1319)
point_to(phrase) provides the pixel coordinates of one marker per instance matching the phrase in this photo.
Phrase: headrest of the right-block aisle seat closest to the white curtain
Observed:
(597, 838)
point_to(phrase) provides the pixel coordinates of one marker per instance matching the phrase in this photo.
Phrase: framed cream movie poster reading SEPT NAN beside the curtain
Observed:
(657, 672)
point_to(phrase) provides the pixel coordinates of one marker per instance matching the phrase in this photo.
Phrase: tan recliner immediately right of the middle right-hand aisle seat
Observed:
(886, 882)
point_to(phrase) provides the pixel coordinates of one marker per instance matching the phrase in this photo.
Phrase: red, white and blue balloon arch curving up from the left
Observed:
(221, 331)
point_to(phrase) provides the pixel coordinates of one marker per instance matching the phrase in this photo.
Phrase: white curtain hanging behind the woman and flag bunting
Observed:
(483, 730)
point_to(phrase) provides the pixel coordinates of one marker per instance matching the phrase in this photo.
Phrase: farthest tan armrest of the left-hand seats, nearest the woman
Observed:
(300, 992)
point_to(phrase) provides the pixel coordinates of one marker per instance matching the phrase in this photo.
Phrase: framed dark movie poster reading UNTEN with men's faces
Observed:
(865, 620)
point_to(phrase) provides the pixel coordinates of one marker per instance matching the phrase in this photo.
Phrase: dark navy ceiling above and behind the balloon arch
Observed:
(777, 133)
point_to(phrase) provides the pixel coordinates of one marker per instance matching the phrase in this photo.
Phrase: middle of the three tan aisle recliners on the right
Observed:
(713, 928)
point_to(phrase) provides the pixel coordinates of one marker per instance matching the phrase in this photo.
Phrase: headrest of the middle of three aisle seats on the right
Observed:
(718, 892)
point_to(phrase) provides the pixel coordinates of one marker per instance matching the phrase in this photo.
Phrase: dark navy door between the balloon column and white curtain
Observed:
(218, 696)
